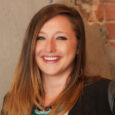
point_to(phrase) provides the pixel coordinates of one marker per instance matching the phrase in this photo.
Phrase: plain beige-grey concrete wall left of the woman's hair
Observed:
(14, 18)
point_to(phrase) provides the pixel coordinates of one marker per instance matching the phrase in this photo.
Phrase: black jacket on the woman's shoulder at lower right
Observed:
(96, 99)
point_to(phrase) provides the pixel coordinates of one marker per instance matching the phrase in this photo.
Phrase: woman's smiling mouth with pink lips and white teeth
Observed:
(51, 59)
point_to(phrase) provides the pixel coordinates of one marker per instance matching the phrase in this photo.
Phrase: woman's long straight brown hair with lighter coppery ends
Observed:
(27, 89)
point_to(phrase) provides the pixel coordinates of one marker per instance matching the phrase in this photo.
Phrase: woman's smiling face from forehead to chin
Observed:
(56, 47)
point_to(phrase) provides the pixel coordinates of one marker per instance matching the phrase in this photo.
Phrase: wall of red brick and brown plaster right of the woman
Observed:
(99, 18)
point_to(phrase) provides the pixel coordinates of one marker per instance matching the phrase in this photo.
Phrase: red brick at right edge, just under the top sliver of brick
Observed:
(110, 12)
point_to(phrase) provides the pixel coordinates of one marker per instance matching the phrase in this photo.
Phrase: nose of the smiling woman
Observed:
(50, 46)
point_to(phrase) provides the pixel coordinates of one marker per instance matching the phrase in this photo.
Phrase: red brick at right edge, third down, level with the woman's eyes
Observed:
(111, 30)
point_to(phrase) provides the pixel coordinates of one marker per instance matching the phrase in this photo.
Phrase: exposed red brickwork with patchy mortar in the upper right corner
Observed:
(102, 12)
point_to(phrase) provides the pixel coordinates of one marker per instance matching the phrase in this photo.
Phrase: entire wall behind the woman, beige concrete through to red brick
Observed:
(99, 19)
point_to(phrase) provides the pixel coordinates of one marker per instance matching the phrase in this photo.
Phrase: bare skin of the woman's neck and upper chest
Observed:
(53, 86)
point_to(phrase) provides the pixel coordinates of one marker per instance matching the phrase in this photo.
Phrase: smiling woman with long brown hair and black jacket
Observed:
(49, 77)
